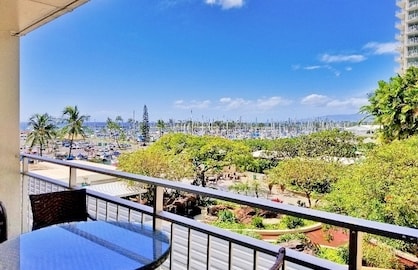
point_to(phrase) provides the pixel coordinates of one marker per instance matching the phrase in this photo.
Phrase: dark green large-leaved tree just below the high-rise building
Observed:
(394, 106)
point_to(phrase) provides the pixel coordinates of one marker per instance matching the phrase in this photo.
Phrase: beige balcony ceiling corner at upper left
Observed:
(22, 16)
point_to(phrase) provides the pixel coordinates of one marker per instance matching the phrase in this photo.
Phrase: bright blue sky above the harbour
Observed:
(248, 60)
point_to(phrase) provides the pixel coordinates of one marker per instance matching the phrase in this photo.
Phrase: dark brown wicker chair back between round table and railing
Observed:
(58, 207)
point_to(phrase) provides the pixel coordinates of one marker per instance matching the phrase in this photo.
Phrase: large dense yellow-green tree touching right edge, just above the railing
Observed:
(382, 187)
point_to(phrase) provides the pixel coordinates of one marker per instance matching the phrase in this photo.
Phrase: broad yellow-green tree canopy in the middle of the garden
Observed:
(193, 156)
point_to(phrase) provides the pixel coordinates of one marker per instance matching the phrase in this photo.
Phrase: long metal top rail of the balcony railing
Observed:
(351, 223)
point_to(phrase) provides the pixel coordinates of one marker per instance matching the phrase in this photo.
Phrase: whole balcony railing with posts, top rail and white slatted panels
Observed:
(196, 245)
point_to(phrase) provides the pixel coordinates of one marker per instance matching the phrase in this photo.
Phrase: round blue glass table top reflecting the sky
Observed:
(87, 245)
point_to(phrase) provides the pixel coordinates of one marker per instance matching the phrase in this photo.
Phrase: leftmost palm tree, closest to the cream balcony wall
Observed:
(43, 129)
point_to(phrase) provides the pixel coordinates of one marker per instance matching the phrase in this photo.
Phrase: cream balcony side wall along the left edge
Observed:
(10, 184)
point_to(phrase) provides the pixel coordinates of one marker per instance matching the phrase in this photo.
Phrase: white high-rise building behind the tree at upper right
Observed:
(408, 33)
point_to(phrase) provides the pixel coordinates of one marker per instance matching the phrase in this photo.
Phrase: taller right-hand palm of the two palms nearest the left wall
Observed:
(73, 124)
